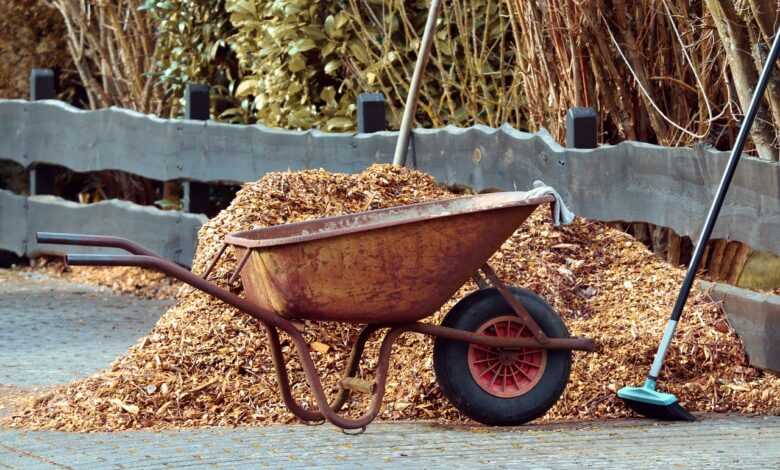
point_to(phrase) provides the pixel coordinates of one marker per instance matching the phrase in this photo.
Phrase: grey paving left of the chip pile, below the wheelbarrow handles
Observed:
(54, 331)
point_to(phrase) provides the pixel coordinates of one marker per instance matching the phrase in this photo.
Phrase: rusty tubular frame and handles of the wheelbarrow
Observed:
(141, 257)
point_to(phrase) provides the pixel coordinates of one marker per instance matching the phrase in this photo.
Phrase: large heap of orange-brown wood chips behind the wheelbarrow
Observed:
(207, 364)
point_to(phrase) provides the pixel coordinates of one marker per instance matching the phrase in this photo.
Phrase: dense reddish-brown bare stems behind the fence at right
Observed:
(659, 71)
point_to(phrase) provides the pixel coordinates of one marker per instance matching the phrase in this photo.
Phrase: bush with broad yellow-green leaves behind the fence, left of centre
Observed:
(291, 54)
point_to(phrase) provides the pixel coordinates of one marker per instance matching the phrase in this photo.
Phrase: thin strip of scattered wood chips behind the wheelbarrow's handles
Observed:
(122, 279)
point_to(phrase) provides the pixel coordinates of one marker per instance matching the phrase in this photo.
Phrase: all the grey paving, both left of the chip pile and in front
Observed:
(53, 332)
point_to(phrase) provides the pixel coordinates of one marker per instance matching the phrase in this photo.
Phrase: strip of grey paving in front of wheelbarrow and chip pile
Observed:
(712, 443)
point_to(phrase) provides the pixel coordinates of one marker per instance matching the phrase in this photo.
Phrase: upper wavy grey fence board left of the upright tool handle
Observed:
(162, 149)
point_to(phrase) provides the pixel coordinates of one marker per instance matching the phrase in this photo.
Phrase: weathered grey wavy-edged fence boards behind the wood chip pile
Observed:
(632, 181)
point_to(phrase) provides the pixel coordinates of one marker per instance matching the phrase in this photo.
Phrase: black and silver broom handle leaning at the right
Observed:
(720, 195)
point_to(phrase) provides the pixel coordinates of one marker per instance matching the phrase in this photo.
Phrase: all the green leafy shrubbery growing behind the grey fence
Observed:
(302, 63)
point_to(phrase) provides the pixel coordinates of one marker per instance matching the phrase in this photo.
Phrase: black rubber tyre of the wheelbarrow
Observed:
(450, 361)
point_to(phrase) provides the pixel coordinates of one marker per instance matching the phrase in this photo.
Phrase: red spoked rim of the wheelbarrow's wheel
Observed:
(506, 373)
